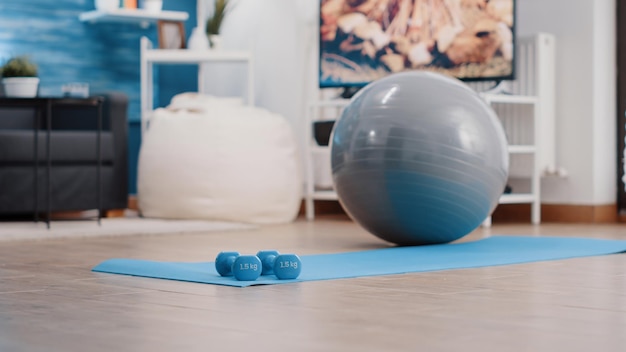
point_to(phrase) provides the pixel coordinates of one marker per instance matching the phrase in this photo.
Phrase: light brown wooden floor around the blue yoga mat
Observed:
(51, 301)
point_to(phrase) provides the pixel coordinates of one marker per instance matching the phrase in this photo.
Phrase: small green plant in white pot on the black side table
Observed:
(19, 77)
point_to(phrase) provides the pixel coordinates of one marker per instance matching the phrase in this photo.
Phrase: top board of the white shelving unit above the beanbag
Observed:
(181, 56)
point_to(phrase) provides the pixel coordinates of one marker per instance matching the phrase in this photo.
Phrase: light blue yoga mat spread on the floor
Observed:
(496, 250)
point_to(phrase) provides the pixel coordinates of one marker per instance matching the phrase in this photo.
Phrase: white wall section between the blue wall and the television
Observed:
(280, 35)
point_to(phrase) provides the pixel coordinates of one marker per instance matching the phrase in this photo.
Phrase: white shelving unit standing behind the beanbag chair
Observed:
(151, 56)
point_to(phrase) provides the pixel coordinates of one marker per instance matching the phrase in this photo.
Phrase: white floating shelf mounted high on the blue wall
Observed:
(139, 16)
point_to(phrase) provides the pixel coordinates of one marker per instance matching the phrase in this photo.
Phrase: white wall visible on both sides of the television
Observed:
(281, 35)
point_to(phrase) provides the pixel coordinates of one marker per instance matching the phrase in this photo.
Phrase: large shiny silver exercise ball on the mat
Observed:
(419, 158)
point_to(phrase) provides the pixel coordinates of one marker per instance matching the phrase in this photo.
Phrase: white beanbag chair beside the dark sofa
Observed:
(211, 158)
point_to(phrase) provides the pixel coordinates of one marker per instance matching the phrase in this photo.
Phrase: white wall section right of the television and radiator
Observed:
(586, 105)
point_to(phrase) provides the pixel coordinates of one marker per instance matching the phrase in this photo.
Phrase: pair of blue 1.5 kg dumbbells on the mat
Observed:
(250, 267)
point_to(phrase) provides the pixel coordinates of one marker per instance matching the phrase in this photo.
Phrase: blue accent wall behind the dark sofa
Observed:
(105, 55)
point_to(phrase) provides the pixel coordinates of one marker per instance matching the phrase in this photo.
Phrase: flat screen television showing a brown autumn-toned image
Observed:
(363, 40)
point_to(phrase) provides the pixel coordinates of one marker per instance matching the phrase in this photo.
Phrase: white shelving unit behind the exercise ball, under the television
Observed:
(532, 197)
